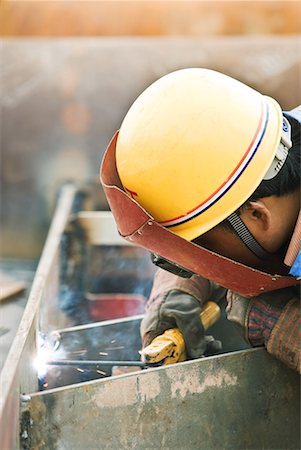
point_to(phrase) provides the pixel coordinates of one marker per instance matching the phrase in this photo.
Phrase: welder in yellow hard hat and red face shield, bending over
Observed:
(205, 173)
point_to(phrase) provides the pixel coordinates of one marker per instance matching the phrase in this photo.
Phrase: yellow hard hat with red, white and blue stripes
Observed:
(194, 146)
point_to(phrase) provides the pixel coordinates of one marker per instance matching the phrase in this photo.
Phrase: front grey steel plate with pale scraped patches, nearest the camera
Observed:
(243, 400)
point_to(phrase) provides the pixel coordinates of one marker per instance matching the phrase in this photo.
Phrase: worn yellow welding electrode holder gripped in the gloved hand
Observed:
(169, 347)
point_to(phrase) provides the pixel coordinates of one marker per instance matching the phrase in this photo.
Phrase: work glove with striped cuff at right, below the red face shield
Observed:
(256, 317)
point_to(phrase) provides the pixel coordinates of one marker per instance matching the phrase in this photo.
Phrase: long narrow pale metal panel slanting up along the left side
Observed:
(19, 374)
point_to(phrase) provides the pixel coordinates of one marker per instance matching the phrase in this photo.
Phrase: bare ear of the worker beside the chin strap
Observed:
(256, 215)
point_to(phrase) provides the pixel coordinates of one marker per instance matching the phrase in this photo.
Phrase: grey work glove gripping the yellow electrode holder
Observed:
(179, 310)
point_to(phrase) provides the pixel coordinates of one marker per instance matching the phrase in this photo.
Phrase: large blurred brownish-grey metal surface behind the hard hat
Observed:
(63, 99)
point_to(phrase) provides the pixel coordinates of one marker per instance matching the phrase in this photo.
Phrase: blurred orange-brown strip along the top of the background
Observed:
(123, 18)
